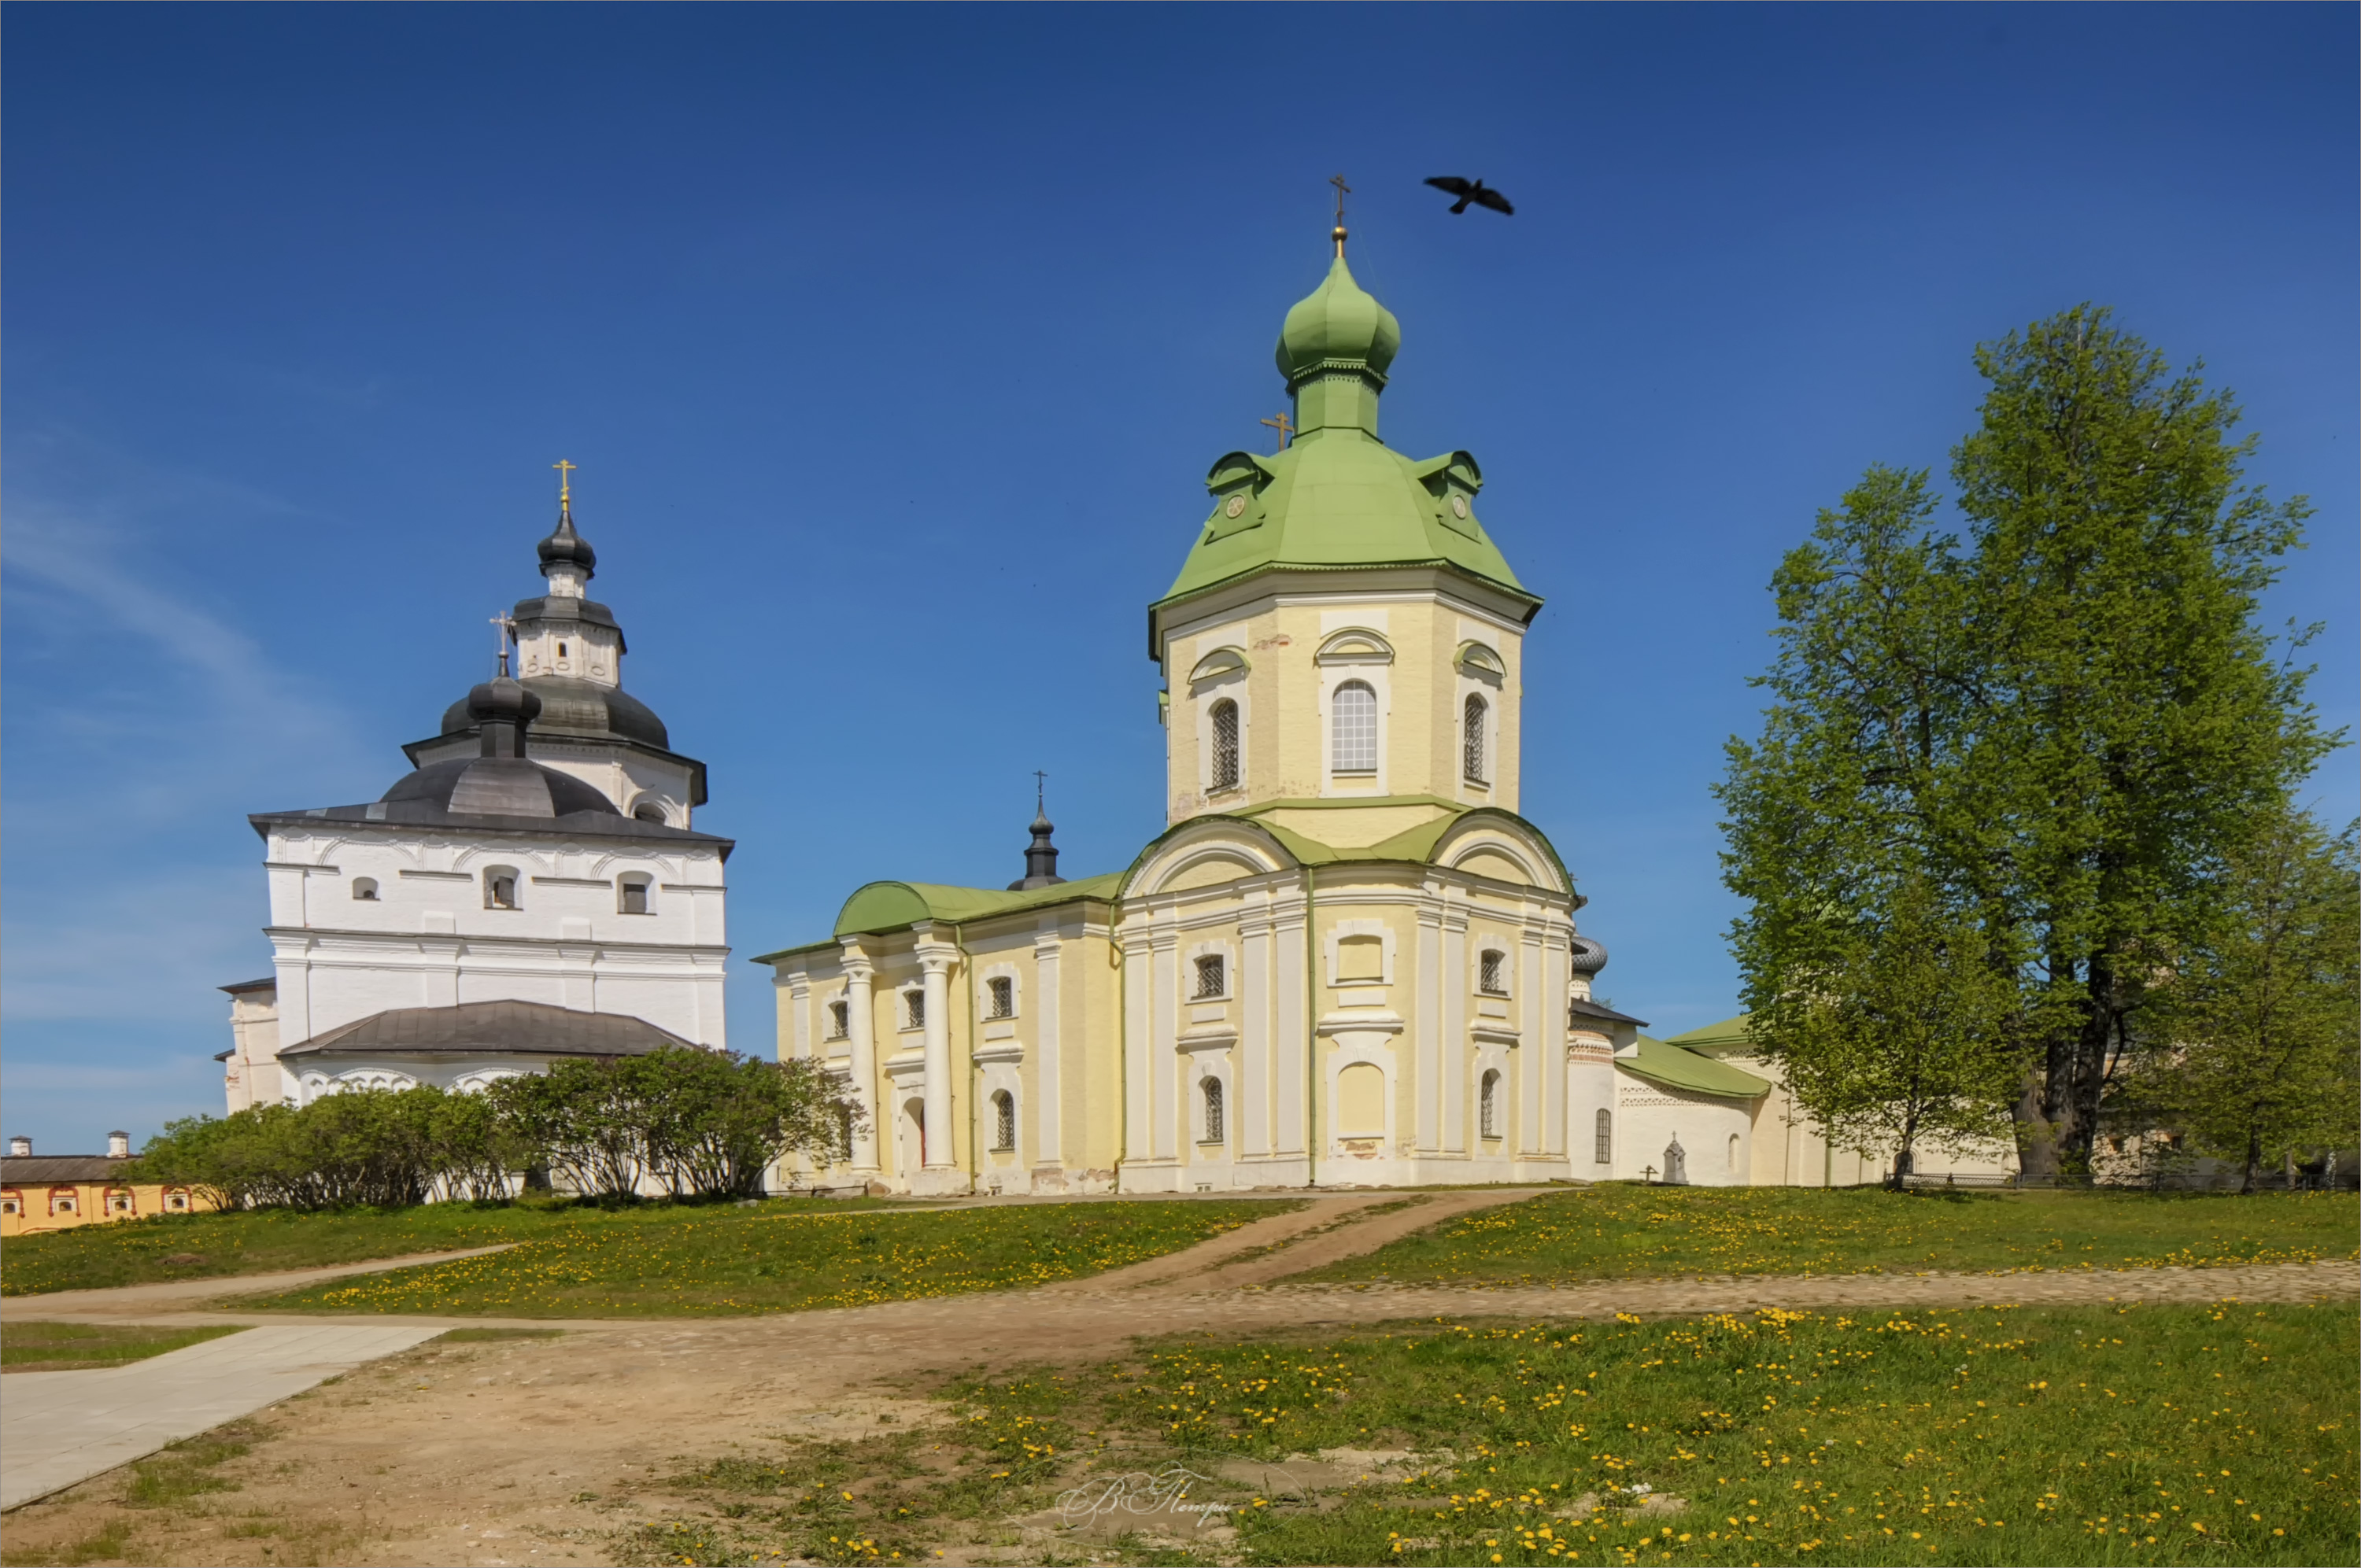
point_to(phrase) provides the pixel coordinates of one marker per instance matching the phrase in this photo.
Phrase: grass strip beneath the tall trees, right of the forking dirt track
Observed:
(1626, 1231)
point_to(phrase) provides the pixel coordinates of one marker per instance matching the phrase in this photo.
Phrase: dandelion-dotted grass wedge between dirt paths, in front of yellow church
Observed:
(780, 1260)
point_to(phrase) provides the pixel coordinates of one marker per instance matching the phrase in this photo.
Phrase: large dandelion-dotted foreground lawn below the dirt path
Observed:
(2157, 1435)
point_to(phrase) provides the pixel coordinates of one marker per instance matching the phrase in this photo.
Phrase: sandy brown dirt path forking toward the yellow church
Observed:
(535, 1451)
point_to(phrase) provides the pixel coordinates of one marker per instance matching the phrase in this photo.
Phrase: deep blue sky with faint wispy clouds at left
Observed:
(894, 346)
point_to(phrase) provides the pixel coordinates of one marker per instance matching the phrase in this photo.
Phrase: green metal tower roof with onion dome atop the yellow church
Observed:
(1340, 497)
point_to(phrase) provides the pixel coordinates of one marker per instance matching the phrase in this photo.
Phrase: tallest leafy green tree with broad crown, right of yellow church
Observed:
(2065, 719)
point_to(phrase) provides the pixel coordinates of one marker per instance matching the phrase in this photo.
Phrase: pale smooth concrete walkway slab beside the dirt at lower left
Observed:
(65, 1427)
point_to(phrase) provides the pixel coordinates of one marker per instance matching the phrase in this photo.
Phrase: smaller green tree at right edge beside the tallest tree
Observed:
(2258, 1033)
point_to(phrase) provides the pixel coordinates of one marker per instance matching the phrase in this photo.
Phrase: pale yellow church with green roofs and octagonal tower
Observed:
(1347, 960)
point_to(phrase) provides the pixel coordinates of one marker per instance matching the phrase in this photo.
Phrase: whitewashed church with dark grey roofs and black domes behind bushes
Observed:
(530, 891)
